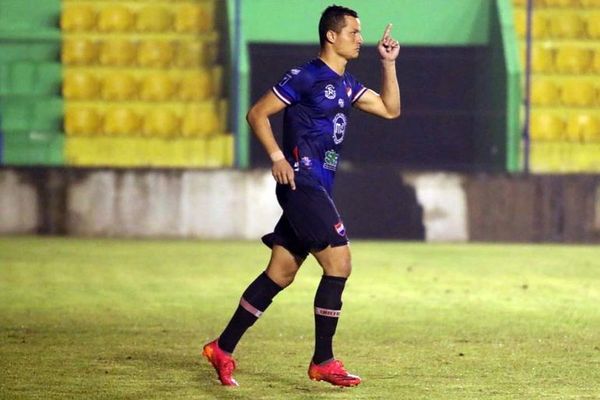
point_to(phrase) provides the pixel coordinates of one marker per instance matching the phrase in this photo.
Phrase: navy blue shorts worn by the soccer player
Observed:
(310, 221)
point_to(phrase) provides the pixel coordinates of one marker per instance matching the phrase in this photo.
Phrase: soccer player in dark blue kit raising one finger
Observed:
(317, 98)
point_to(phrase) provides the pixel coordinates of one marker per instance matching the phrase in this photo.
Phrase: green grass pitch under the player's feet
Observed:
(109, 319)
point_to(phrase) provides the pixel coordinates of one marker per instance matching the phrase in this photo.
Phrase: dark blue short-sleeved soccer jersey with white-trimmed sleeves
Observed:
(315, 120)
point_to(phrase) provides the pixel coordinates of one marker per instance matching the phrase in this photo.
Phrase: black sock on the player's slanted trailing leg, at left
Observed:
(253, 303)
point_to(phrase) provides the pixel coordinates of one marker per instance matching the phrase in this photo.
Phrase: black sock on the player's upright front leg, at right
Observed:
(328, 305)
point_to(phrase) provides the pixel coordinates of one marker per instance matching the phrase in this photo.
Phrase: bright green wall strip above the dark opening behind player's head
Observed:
(416, 22)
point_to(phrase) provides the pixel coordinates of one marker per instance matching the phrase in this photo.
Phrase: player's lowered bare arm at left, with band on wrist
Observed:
(258, 118)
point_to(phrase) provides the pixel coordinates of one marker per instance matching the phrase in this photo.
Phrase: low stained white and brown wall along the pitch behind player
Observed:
(380, 204)
